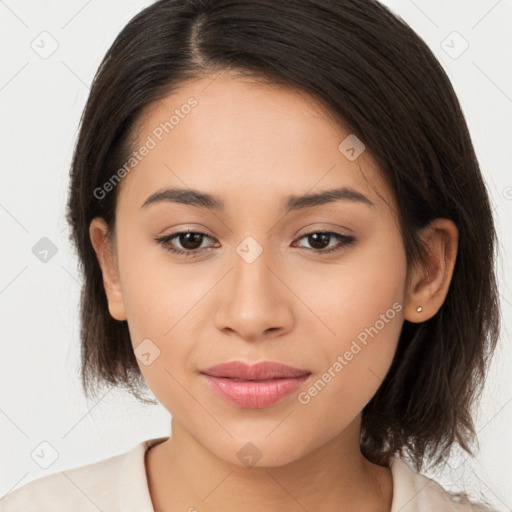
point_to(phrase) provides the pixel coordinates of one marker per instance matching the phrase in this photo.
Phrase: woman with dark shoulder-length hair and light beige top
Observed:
(285, 235)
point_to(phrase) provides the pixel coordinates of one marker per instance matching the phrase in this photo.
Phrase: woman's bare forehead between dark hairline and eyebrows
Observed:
(233, 135)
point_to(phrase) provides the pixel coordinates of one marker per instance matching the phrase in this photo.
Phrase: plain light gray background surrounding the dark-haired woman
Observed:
(41, 100)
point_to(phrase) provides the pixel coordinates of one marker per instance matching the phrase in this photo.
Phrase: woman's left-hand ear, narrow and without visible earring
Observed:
(105, 252)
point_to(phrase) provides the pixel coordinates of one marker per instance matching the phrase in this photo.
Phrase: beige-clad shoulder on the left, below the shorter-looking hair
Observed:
(87, 488)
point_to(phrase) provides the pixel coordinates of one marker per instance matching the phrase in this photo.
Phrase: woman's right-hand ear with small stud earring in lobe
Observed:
(429, 283)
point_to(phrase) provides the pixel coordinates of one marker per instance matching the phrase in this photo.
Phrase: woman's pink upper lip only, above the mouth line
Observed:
(259, 371)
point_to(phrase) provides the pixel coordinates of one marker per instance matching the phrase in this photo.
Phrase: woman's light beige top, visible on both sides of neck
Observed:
(119, 484)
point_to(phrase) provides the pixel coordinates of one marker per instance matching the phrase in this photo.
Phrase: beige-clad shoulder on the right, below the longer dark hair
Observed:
(414, 492)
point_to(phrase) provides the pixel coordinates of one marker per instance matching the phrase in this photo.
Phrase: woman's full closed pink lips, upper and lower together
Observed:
(254, 386)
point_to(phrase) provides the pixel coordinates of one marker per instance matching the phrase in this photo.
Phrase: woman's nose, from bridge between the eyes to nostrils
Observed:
(254, 301)
